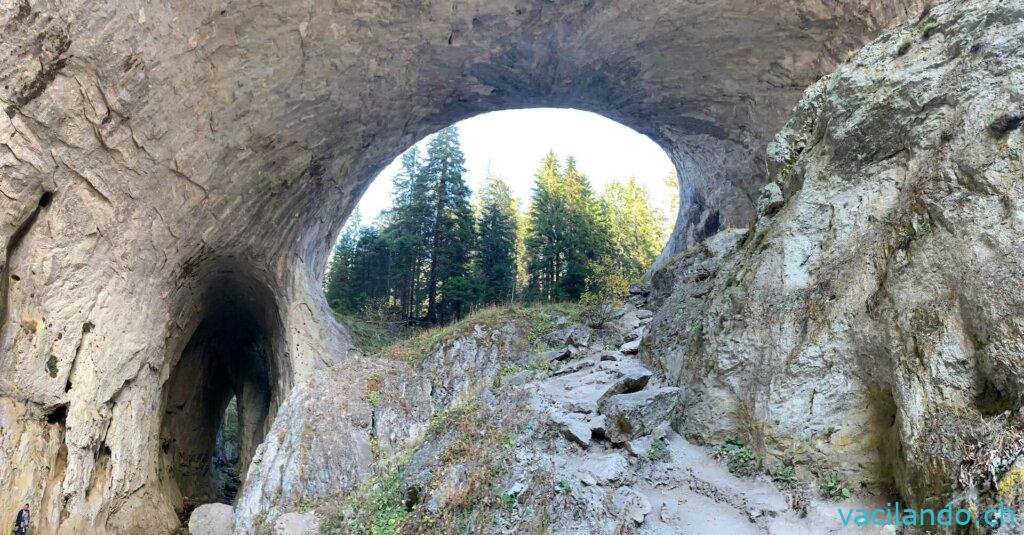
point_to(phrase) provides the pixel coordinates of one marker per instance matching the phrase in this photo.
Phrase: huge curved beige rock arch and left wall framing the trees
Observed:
(165, 168)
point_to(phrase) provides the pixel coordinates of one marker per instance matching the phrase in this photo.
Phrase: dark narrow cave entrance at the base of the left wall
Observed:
(221, 398)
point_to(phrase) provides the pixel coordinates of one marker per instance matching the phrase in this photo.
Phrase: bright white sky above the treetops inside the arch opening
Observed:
(513, 144)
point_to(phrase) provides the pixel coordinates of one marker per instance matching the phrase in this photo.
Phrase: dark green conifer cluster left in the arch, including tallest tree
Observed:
(415, 260)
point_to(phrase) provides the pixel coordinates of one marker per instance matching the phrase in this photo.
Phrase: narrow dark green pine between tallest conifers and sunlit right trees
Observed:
(496, 263)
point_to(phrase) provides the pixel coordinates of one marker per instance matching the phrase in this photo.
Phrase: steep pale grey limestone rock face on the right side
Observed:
(873, 323)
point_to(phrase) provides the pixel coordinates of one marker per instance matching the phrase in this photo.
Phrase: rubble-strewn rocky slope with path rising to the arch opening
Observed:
(570, 436)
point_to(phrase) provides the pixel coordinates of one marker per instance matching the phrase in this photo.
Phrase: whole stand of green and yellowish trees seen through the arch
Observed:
(433, 259)
